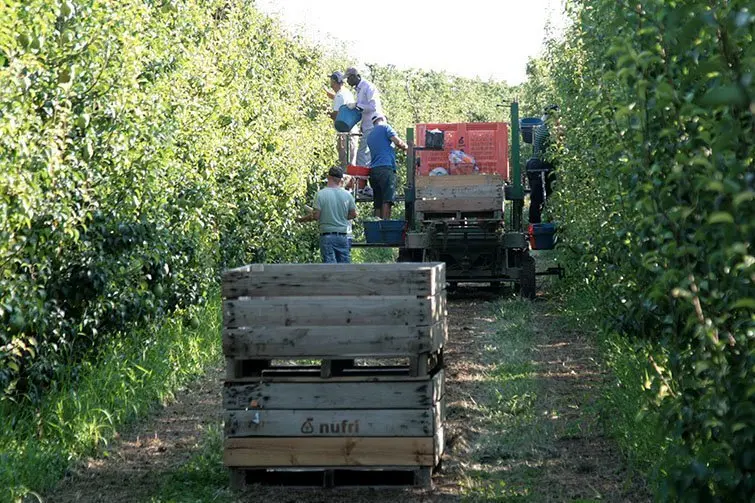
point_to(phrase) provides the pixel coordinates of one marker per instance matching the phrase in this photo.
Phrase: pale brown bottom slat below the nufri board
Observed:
(349, 451)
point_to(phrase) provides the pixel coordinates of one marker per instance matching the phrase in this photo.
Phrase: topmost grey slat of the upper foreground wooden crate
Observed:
(286, 280)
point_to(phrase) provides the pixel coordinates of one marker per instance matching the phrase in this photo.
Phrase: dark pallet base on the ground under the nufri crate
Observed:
(346, 477)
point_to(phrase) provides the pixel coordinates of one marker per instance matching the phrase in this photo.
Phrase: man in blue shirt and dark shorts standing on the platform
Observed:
(381, 142)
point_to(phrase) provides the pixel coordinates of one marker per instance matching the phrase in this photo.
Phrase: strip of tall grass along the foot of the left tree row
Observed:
(79, 416)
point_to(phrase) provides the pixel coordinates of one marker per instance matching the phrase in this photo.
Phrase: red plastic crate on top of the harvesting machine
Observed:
(487, 142)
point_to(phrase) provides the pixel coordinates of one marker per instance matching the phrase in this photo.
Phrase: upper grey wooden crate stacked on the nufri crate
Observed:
(305, 312)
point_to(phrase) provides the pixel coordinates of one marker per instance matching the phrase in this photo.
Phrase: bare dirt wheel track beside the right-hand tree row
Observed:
(579, 461)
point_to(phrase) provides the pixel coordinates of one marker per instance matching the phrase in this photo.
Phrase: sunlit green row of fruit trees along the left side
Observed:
(143, 148)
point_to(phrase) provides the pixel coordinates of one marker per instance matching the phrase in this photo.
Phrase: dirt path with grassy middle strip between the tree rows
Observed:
(521, 424)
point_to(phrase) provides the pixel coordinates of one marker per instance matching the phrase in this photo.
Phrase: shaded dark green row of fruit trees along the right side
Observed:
(655, 203)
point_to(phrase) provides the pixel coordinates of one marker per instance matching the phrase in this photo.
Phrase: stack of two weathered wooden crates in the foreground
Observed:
(334, 373)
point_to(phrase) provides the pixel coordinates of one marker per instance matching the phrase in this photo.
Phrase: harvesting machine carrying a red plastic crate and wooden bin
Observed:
(458, 212)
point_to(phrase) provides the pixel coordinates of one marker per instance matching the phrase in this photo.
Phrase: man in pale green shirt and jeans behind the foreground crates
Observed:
(334, 207)
